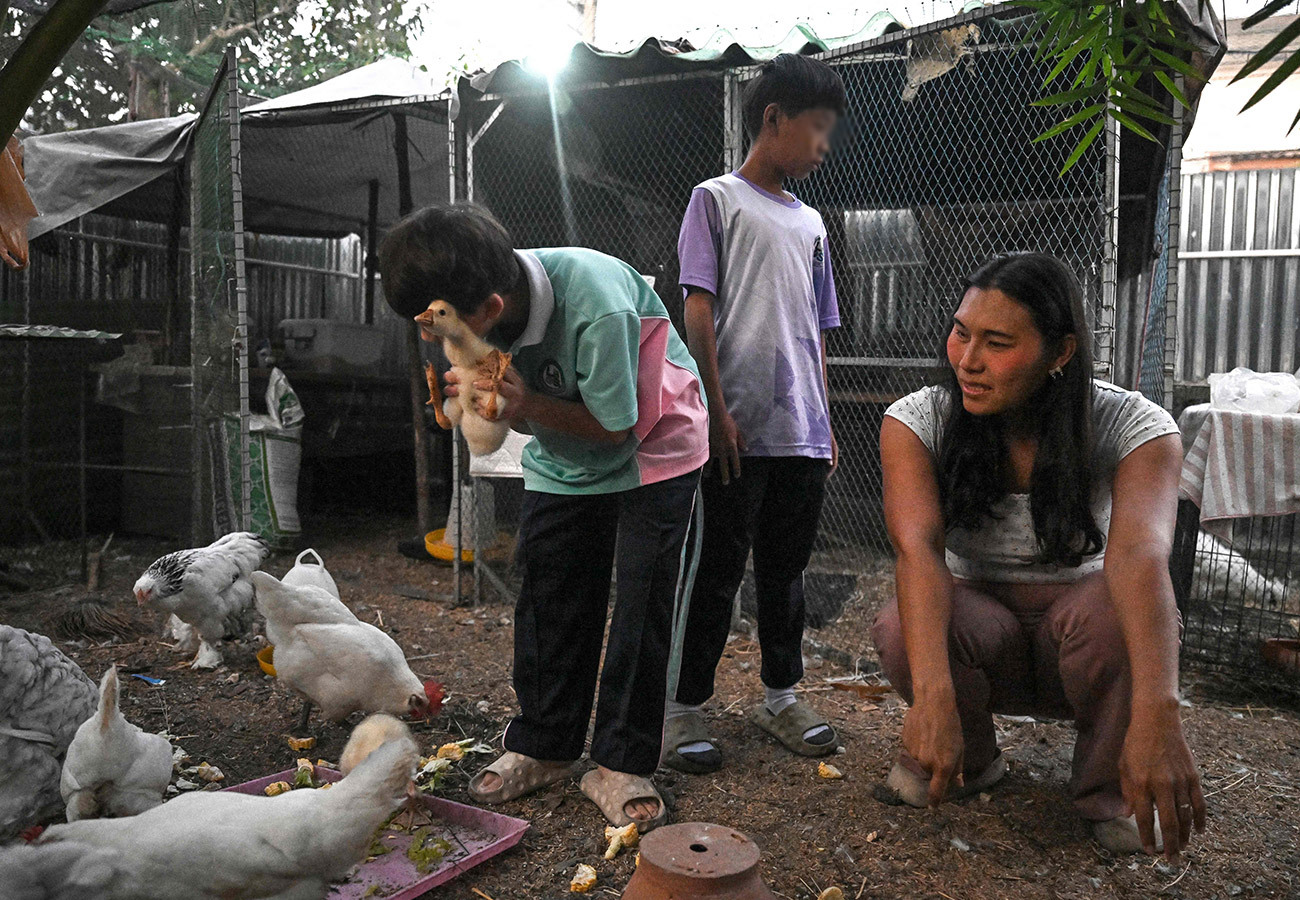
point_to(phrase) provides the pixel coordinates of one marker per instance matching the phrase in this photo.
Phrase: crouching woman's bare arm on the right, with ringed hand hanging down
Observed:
(1156, 768)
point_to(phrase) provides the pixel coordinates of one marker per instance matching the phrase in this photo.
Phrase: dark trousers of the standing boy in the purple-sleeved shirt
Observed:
(774, 508)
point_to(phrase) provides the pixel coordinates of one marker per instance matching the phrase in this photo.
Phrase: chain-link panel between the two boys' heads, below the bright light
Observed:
(596, 166)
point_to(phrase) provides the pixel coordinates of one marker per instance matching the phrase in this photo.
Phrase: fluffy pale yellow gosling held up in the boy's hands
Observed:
(471, 360)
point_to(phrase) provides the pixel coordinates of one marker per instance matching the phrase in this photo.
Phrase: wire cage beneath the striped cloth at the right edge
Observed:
(1241, 600)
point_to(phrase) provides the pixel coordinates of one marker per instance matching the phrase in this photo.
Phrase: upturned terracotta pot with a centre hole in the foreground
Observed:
(696, 860)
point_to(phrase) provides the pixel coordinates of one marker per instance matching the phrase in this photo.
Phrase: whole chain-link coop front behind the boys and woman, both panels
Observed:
(933, 171)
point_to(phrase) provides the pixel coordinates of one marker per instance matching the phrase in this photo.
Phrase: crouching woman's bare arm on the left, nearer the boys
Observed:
(925, 589)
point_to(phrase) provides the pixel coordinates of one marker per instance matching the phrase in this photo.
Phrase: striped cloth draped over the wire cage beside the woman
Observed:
(1240, 465)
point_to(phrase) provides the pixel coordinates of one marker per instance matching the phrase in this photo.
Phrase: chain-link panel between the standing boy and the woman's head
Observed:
(933, 172)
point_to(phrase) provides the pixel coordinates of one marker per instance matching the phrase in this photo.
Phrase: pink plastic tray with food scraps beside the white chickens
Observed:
(475, 834)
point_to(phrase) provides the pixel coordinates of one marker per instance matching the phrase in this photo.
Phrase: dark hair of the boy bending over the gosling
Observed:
(450, 252)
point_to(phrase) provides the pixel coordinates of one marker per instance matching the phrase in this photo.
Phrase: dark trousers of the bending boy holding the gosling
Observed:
(567, 548)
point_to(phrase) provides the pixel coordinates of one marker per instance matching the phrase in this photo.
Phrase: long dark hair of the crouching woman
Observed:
(974, 465)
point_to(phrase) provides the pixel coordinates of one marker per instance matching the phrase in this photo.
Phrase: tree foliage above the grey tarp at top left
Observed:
(171, 53)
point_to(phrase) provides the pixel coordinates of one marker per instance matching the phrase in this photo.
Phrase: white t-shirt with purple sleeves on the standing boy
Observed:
(766, 259)
